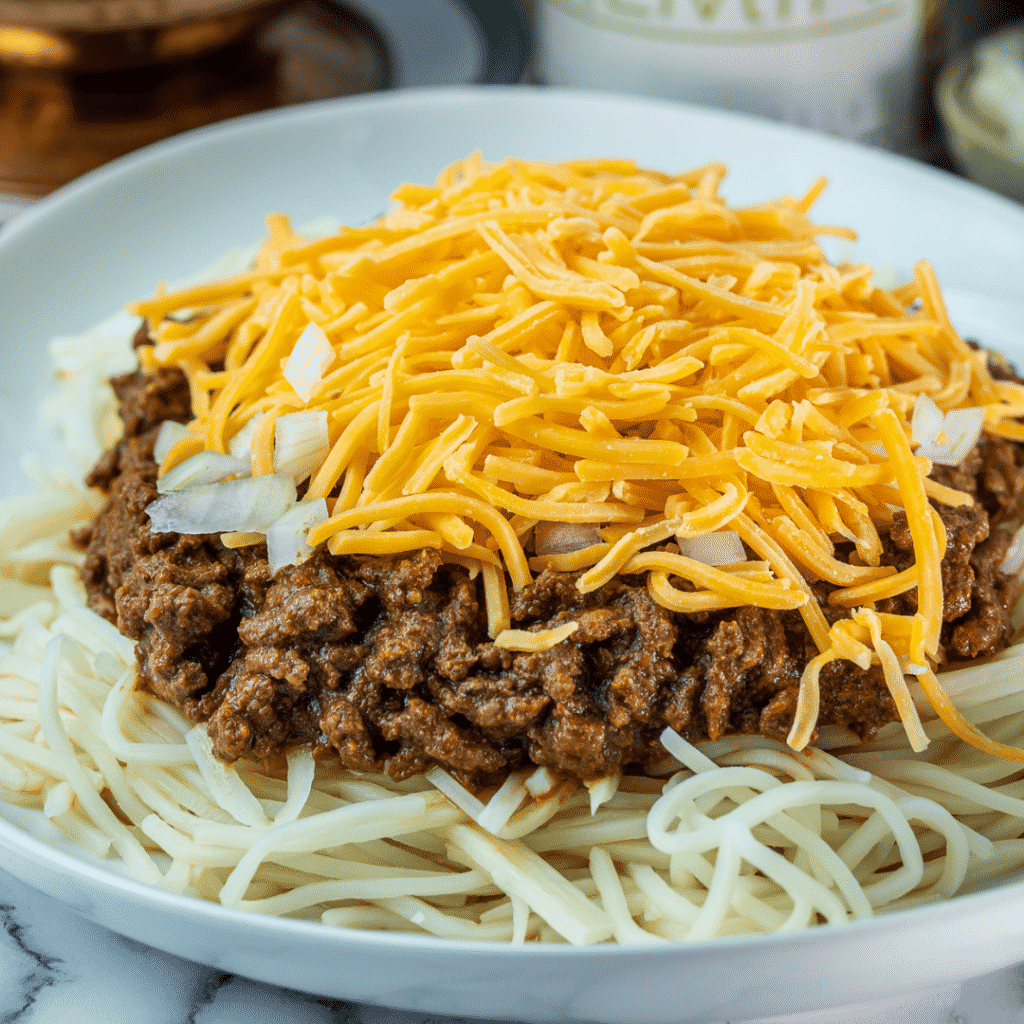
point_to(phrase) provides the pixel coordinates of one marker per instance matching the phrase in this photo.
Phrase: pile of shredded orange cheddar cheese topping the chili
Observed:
(593, 344)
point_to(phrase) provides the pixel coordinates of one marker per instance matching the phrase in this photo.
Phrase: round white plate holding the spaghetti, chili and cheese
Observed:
(166, 211)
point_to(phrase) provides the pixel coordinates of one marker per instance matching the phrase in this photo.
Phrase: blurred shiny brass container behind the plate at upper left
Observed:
(84, 81)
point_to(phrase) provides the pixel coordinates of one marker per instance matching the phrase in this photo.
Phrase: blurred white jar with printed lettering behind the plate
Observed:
(845, 67)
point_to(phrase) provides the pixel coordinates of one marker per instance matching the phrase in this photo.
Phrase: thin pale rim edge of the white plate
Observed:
(123, 168)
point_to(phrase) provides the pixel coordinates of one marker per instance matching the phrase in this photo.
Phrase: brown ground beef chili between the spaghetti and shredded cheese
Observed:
(386, 662)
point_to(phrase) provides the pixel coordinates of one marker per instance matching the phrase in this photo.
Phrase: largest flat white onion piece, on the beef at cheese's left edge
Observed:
(251, 504)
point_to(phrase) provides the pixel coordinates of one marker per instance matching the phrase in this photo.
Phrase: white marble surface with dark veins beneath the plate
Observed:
(56, 968)
